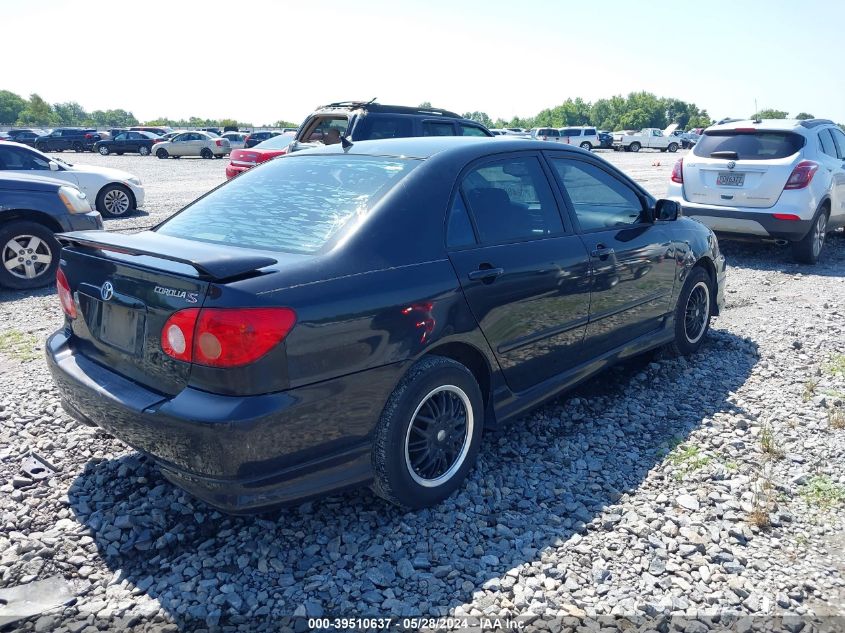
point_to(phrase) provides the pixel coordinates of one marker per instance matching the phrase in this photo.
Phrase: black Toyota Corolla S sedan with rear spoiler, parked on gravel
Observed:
(358, 315)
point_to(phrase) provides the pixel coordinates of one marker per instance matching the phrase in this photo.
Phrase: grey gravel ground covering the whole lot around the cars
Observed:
(681, 494)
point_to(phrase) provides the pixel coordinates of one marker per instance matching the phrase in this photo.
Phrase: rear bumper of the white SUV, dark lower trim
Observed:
(748, 224)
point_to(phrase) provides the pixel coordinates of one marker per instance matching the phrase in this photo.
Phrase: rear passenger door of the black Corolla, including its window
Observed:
(523, 271)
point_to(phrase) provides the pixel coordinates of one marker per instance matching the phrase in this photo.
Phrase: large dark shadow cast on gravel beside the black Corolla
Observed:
(554, 475)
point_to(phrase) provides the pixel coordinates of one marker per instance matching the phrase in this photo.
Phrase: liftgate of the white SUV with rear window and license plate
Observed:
(741, 167)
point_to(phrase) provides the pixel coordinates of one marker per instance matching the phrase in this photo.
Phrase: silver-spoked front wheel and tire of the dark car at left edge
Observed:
(29, 255)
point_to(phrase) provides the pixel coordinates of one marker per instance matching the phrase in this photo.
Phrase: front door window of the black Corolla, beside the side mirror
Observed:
(600, 201)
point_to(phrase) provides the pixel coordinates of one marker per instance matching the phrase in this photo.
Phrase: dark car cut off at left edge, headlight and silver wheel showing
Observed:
(32, 210)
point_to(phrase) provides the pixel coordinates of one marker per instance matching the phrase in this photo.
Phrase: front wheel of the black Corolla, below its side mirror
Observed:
(692, 313)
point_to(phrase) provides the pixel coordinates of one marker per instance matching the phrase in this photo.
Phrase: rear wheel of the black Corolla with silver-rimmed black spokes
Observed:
(428, 436)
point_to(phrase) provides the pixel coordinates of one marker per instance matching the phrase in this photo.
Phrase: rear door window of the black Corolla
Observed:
(511, 200)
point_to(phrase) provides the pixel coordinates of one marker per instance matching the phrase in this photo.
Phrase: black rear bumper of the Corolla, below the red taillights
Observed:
(238, 454)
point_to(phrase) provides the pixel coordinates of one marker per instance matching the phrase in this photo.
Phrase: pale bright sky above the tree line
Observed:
(263, 61)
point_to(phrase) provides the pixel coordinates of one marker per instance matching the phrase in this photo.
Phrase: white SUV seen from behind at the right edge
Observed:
(775, 180)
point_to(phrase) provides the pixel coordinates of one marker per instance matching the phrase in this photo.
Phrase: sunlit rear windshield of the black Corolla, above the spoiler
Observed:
(296, 204)
